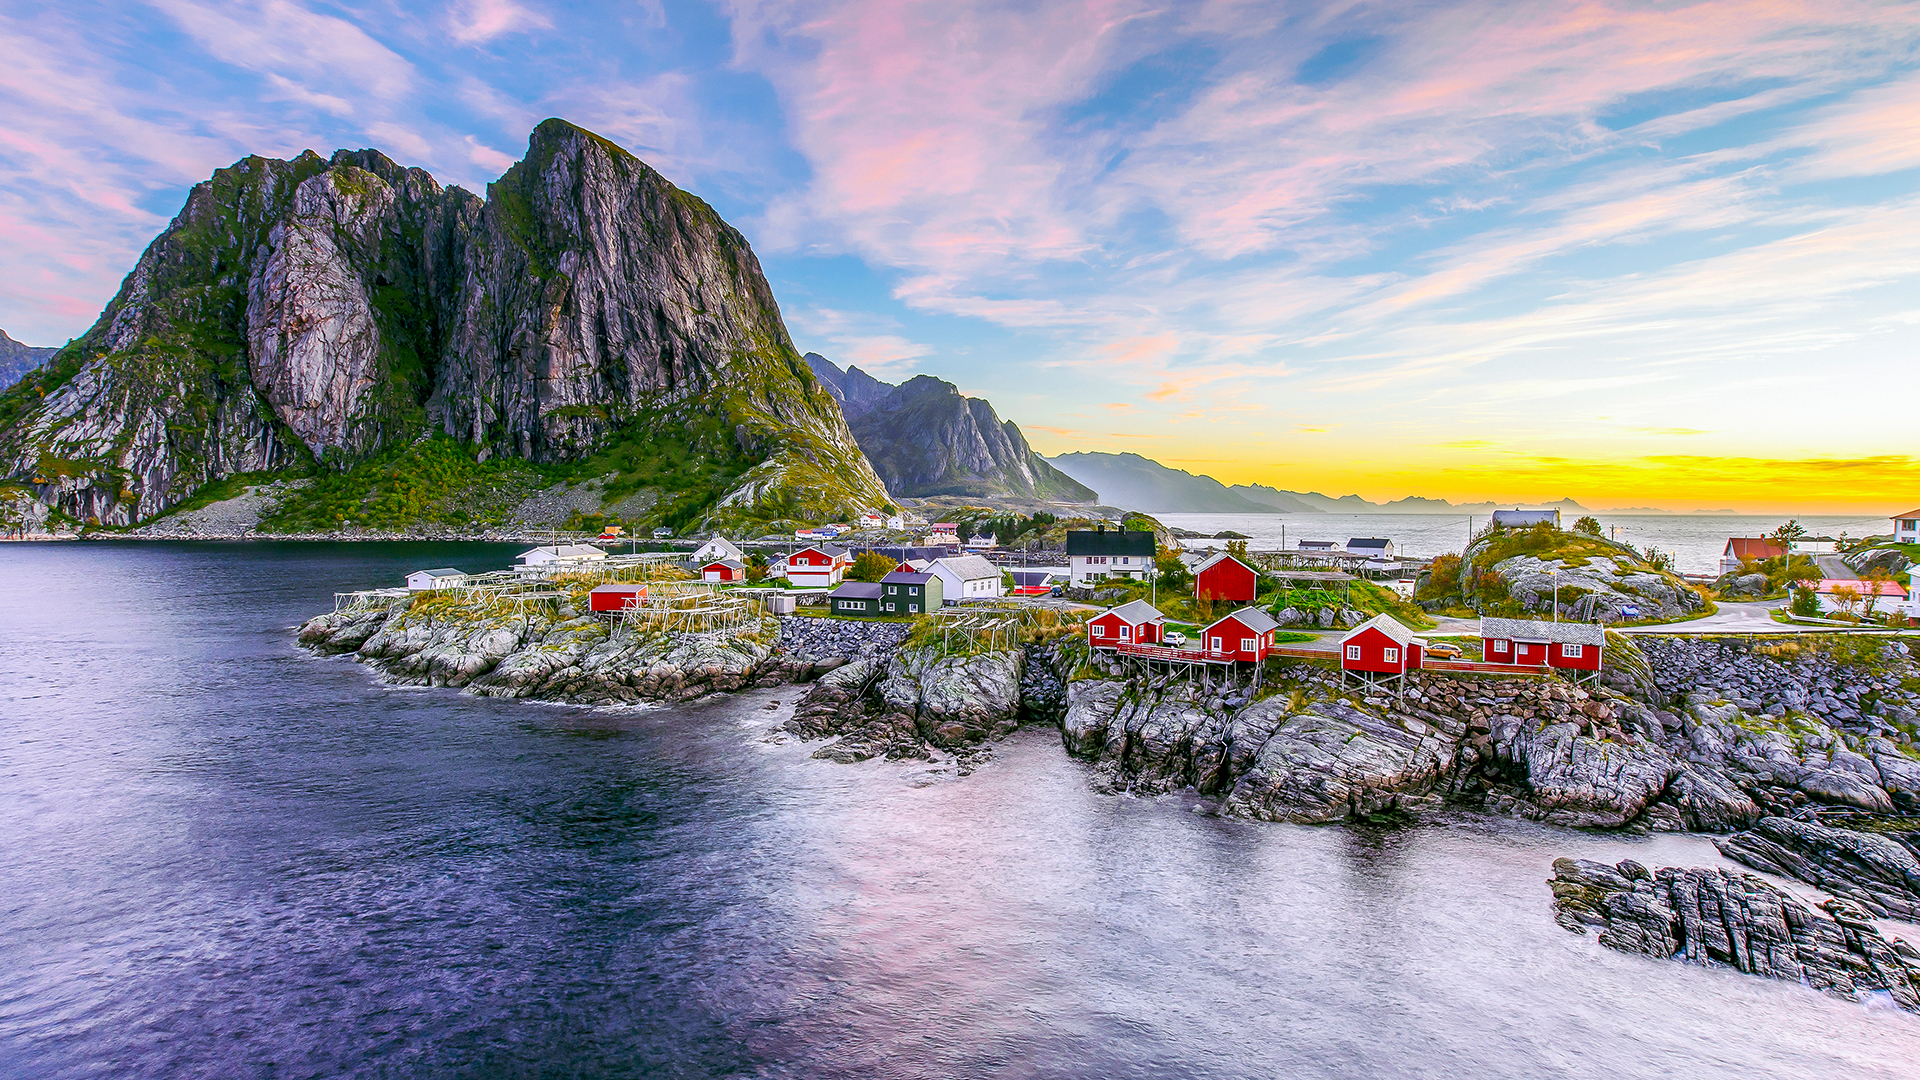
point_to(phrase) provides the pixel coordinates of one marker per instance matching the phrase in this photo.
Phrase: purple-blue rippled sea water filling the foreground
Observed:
(226, 858)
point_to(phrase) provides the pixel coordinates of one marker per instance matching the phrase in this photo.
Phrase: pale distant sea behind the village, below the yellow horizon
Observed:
(1694, 539)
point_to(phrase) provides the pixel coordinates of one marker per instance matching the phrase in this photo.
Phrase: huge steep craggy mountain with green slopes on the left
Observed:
(316, 314)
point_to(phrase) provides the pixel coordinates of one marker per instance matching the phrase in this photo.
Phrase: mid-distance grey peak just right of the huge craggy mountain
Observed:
(926, 439)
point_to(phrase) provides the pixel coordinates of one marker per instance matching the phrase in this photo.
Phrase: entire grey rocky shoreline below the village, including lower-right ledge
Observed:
(1800, 754)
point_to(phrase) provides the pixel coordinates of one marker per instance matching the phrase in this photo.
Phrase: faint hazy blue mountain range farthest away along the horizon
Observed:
(1147, 485)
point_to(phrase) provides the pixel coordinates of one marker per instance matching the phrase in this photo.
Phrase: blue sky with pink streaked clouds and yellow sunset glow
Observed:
(1633, 253)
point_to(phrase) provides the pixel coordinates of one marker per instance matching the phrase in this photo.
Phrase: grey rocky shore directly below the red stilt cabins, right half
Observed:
(1660, 756)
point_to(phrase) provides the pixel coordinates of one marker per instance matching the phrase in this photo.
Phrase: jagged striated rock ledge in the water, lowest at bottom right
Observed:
(1740, 921)
